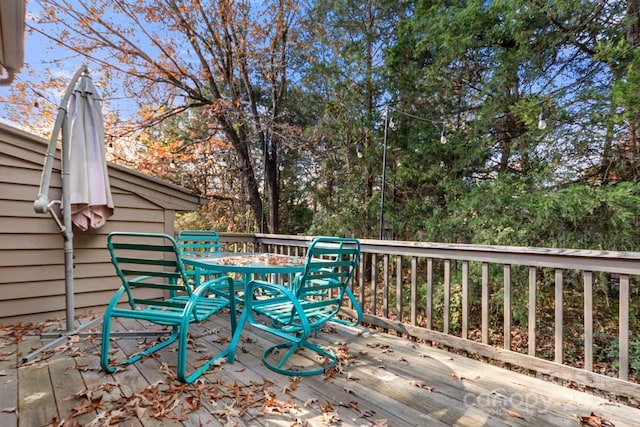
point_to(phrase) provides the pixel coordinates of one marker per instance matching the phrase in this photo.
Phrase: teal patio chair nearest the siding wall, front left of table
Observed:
(146, 264)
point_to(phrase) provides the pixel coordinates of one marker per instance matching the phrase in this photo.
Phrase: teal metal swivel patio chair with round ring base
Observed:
(295, 312)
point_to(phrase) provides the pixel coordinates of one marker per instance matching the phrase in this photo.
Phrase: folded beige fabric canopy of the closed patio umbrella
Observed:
(91, 202)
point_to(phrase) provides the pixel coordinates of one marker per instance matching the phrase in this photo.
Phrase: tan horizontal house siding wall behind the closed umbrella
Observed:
(32, 282)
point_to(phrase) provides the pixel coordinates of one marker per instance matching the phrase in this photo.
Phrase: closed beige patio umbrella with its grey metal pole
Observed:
(86, 195)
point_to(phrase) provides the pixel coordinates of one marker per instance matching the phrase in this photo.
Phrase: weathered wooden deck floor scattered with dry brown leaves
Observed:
(382, 381)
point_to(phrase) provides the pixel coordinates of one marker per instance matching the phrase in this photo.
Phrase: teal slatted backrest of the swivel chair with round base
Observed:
(331, 262)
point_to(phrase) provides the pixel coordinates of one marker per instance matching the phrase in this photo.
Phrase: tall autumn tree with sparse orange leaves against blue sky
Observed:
(226, 62)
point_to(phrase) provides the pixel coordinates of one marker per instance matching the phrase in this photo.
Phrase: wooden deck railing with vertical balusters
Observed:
(515, 305)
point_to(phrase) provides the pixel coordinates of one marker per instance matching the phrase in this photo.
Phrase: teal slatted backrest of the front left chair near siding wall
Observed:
(147, 262)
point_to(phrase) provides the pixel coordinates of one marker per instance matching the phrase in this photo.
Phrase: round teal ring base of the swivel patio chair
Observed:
(329, 359)
